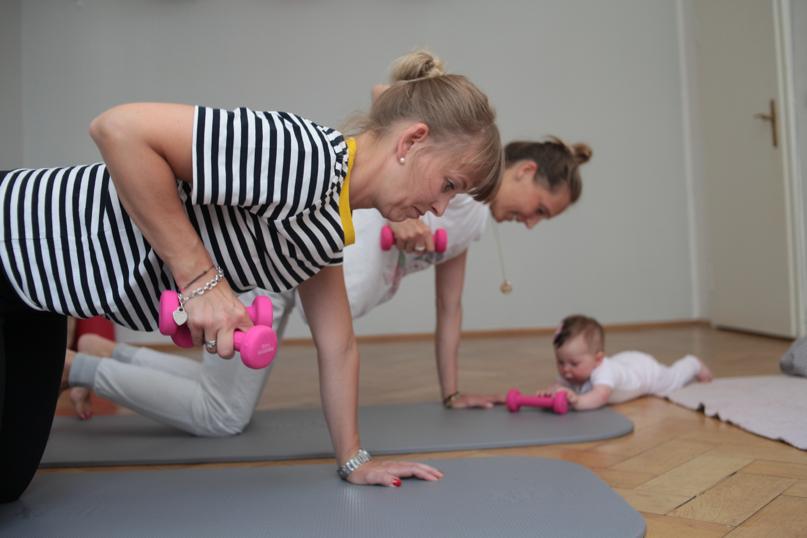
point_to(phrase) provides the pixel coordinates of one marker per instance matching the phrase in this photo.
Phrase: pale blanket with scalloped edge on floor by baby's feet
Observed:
(771, 406)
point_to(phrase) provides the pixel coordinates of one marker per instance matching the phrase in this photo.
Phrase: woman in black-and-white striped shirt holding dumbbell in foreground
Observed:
(194, 198)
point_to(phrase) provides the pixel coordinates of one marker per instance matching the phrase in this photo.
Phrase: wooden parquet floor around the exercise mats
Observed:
(689, 475)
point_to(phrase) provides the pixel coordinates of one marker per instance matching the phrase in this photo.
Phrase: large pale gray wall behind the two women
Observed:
(607, 73)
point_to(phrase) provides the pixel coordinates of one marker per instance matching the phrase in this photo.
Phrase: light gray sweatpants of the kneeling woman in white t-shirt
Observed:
(213, 398)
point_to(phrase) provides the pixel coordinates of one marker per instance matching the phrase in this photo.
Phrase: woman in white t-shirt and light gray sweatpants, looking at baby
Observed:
(218, 398)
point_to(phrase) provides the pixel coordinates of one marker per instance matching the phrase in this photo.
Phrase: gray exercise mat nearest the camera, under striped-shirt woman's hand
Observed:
(479, 497)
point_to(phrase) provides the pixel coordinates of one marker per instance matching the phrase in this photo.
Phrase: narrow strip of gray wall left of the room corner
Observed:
(10, 86)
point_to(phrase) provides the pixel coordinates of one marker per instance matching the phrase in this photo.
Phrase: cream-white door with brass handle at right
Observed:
(746, 217)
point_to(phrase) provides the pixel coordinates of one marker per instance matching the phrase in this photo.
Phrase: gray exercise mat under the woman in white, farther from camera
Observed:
(301, 433)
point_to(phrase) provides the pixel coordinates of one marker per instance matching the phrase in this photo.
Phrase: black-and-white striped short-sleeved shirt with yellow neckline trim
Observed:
(269, 198)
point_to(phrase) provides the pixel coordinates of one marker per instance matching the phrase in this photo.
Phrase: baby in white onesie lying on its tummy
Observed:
(592, 380)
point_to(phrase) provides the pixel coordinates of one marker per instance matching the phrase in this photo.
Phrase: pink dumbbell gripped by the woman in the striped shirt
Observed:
(257, 346)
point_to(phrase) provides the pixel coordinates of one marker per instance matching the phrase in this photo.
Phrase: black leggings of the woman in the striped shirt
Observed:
(32, 347)
